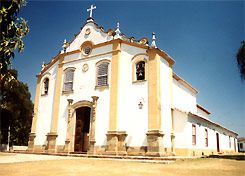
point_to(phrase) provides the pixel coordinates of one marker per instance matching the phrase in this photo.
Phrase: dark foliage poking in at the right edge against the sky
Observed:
(241, 60)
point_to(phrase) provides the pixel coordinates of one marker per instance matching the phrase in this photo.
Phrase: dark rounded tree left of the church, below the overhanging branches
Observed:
(17, 110)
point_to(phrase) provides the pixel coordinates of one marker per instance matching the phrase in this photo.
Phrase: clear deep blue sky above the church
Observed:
(202, 37)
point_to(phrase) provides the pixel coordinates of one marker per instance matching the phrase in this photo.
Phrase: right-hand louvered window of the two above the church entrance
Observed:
(102, 74)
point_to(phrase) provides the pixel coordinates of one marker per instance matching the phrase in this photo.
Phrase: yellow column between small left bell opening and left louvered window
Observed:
(51, 137)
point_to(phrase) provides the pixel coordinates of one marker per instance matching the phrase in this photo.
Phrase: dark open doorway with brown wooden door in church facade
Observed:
(82, 129)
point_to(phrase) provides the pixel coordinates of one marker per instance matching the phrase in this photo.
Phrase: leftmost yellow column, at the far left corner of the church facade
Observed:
(32, 135)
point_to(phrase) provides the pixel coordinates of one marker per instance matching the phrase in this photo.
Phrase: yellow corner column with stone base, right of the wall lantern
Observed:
(154, 134)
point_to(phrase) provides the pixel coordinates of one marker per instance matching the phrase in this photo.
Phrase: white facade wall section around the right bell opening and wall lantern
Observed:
(130, 118)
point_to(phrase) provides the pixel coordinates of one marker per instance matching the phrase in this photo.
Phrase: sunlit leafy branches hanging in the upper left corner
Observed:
(13, 29)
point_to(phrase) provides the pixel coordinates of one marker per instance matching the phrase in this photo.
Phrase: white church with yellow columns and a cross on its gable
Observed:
(107, 94)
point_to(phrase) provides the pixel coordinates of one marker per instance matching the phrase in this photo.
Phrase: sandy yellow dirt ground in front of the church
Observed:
(102, 167)
